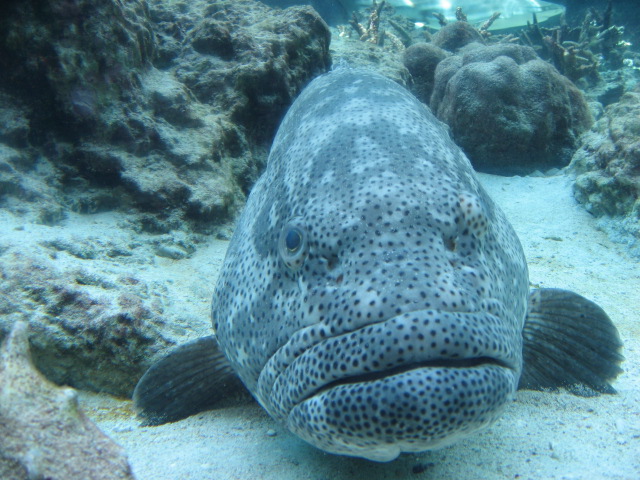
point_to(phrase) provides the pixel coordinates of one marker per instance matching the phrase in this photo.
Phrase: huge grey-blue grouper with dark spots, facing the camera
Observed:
(373, 298)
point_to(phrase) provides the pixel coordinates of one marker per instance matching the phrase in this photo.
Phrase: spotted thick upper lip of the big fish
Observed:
(420, 341)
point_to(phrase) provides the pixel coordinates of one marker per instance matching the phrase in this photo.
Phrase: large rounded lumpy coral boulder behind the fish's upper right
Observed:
(510, 111)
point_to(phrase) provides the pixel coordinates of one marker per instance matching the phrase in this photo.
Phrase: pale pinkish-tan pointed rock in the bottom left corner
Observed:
(43, 432)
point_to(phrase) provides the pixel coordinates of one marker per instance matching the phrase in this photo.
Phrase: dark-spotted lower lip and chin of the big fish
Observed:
(420, 409)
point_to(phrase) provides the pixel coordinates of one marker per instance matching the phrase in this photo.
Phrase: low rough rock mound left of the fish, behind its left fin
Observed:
(91, 331)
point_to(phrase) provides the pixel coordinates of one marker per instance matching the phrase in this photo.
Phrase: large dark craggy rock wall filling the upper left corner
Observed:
(164, 108)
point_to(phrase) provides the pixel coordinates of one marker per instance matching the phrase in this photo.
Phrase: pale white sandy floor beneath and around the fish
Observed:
(541, 435)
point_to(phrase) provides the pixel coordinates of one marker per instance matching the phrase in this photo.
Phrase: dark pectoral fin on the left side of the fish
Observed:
(193, 377)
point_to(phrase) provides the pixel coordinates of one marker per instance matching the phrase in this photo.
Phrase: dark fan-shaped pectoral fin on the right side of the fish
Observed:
(569, 342)
